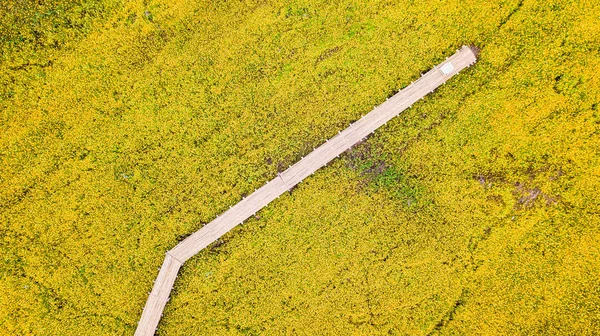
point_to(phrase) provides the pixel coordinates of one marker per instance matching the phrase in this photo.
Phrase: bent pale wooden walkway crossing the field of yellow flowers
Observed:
(331, 149)
